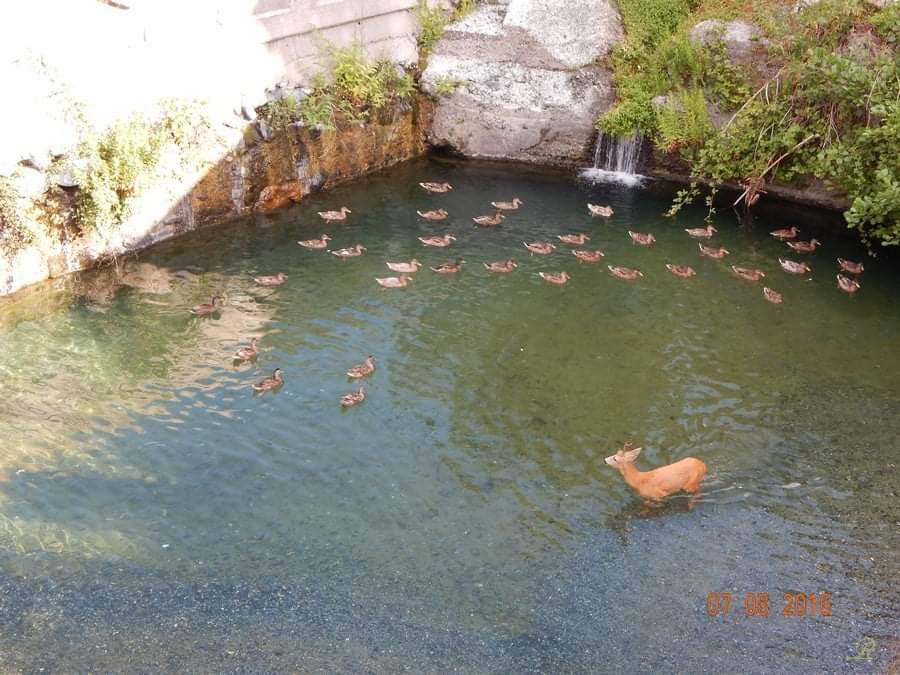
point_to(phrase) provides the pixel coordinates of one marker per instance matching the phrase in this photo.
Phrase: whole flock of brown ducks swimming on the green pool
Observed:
(405, 270)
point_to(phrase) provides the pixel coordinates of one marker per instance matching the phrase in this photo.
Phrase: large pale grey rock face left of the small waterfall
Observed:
(527, 87)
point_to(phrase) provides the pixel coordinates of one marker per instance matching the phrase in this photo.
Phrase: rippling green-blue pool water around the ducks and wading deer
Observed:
(155, 514)
